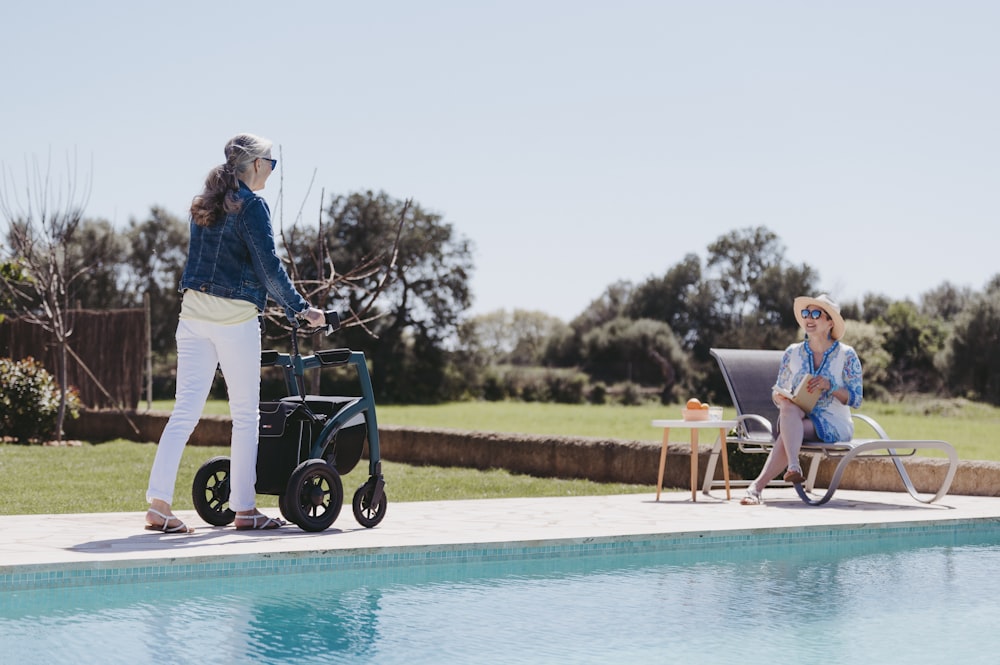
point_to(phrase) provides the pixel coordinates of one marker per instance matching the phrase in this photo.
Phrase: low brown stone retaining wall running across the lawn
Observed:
(602, 460)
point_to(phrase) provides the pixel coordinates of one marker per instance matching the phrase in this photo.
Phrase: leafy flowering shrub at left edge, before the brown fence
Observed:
(29, 401)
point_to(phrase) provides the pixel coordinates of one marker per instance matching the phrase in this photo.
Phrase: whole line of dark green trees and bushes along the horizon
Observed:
(631, 340)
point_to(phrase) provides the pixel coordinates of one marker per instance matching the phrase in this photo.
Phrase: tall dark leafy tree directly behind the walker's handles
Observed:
(412, 311)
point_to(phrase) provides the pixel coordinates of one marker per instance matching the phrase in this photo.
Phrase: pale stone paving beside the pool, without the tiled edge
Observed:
(32, 543)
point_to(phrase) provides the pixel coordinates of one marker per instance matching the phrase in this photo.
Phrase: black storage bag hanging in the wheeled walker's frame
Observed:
(284, 438)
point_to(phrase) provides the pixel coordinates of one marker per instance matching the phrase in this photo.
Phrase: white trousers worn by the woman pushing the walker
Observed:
(201, 346)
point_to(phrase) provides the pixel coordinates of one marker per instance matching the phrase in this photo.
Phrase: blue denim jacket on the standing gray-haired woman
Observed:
(235, 258)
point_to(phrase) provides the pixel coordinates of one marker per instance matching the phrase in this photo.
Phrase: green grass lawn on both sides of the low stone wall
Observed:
(111, 477)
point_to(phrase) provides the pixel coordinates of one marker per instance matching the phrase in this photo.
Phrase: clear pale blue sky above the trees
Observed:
(575, 143)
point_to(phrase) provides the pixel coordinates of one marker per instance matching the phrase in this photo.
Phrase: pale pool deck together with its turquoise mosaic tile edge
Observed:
(53, 551)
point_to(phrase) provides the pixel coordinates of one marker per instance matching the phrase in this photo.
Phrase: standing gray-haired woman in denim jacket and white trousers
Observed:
(232, 267)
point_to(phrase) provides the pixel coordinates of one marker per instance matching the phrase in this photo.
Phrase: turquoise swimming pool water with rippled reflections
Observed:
(898, 596)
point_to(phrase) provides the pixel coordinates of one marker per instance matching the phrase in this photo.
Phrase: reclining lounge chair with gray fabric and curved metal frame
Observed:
(750, 374)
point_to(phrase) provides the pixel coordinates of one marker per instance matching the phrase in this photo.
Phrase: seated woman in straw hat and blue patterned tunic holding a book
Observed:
(836, 373)
